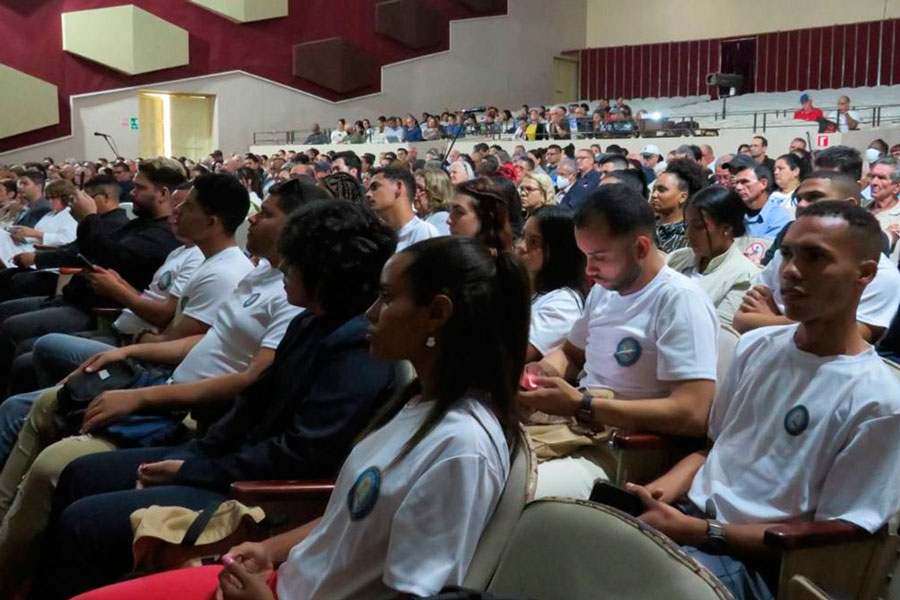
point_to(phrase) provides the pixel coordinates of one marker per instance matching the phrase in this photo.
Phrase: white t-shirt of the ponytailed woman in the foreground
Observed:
(424, 518)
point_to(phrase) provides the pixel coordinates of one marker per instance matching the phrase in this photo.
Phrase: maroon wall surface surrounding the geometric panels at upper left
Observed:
(31, 41)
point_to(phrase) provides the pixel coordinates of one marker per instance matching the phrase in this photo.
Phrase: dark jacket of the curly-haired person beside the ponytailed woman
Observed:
(300, 418)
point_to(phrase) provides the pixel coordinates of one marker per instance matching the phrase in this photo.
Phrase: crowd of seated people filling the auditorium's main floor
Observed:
(583, 289)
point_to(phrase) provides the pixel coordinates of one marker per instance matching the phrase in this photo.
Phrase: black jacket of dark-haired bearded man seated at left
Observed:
(135, 251)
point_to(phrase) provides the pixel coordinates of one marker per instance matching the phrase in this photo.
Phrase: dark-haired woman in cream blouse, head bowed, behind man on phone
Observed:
(714, 218)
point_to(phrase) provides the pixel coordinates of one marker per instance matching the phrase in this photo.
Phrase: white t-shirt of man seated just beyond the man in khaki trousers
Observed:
(212, 284)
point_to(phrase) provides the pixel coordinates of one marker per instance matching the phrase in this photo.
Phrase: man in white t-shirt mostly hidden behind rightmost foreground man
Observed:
(763, 305)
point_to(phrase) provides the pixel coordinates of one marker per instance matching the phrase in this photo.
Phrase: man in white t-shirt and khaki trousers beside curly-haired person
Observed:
(215, 368)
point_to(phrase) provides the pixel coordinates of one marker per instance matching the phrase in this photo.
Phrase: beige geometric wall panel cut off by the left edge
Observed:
(26, 102)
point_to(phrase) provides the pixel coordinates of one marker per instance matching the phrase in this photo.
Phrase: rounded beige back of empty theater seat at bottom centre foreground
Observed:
(563, 549)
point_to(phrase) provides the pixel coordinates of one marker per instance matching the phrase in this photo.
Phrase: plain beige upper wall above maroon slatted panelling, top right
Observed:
(612, 23)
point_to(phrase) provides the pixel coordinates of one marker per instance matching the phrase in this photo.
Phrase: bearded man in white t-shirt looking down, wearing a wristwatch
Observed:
(648, 333)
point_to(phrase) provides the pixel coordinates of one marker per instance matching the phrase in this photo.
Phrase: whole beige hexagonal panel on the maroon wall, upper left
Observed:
(125, 38)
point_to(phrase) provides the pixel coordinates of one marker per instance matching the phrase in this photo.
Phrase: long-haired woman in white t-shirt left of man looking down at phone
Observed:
(556, 268)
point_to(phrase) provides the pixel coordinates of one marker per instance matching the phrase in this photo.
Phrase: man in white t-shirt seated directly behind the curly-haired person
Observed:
(391, 193)
